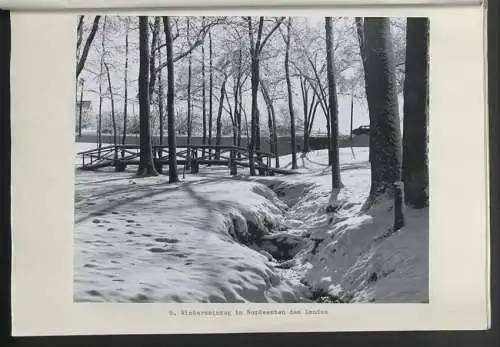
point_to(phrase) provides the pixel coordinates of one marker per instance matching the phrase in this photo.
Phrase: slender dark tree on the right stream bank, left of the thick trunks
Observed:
(333, 104)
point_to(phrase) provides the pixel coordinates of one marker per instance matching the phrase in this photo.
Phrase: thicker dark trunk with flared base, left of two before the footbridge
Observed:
(146, 165)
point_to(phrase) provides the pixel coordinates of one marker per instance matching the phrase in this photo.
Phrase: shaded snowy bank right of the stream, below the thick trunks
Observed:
(352, 256)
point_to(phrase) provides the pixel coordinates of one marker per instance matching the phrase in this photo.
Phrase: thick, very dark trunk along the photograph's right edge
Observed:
(416, 113)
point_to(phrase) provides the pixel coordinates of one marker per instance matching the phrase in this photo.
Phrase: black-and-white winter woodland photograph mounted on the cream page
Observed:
(239, 159)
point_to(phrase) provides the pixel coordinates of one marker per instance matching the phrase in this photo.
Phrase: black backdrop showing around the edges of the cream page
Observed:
(486, 338)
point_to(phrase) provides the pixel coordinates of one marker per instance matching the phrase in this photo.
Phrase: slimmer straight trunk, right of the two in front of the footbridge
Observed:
(172, 147)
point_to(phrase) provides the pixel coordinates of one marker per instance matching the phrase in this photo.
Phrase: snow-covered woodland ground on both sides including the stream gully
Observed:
(217, 238)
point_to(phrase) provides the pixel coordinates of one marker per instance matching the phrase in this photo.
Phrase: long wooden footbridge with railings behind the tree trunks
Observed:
(190, 157)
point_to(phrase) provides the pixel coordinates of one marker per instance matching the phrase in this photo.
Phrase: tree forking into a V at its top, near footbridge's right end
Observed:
(256, 46)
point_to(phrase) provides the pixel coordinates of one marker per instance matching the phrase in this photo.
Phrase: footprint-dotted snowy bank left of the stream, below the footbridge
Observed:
(144, 240)
